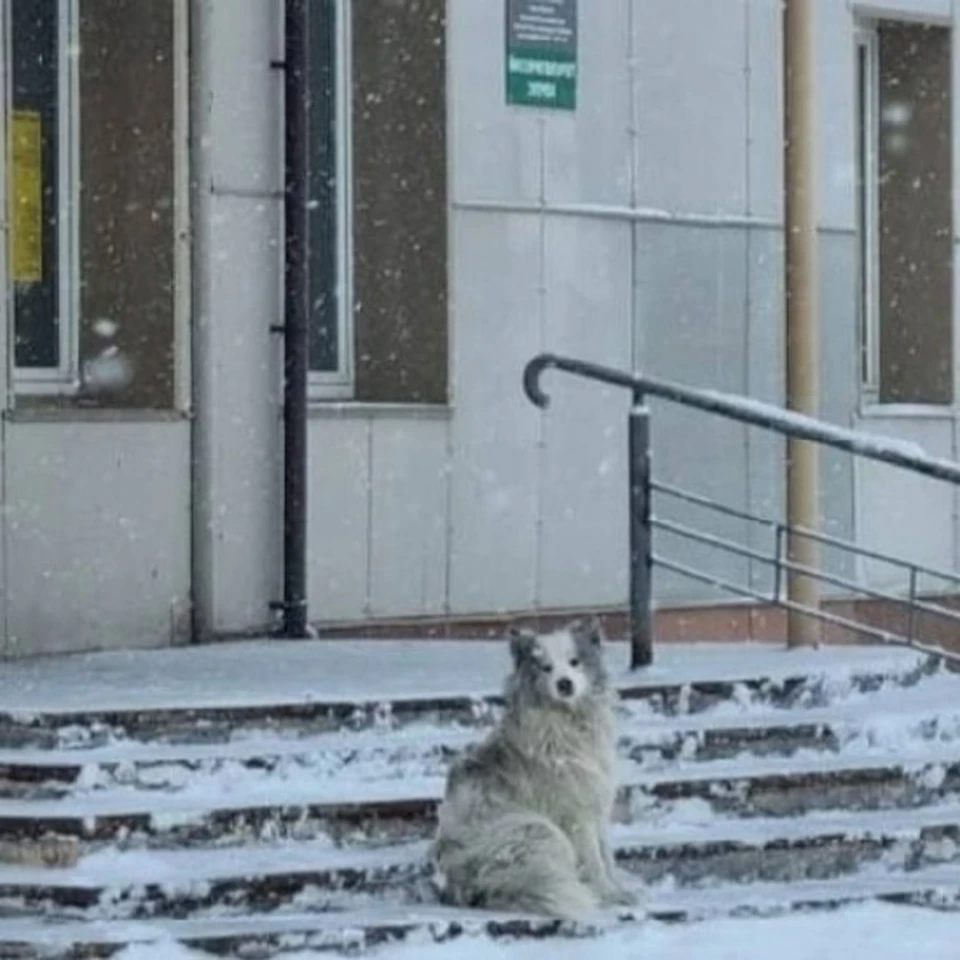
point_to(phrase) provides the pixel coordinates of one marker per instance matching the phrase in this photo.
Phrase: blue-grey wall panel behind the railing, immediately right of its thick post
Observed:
(691, 303)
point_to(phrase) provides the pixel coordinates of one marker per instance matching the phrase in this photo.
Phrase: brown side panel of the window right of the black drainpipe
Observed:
(398, 224)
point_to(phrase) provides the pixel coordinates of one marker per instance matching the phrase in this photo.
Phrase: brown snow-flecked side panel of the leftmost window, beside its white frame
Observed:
(126, 214)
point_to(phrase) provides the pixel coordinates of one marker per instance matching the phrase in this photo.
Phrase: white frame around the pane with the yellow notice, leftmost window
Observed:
(64, 378)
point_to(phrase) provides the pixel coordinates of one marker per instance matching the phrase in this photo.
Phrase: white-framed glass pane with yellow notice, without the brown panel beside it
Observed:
(41, 196)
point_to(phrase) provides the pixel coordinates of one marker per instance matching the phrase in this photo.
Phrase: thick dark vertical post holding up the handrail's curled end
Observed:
(641, 546)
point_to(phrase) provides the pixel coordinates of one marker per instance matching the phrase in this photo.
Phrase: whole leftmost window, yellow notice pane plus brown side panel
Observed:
(92, 200)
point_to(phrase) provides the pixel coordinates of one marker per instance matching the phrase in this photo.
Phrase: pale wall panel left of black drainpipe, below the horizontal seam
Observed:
(239, 476)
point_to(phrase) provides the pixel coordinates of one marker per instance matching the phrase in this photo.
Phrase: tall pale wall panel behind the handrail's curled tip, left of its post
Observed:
(584, 530)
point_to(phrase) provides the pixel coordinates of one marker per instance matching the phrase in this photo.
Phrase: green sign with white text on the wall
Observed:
(542, 53)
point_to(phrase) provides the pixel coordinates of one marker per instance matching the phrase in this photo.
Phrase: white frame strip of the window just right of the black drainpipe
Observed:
(339, 384)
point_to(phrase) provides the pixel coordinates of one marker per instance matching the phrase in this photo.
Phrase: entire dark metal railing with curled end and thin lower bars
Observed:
(754, 413)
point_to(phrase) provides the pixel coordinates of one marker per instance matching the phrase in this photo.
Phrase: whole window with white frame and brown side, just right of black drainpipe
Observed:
(378, 224)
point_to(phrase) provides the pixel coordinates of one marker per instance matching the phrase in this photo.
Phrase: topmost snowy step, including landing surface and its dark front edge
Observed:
(210, 700)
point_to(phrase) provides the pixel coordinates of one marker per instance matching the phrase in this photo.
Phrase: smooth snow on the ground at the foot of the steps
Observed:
(877, 931)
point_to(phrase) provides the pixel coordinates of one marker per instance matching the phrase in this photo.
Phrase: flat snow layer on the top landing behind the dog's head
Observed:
(251, 674)
